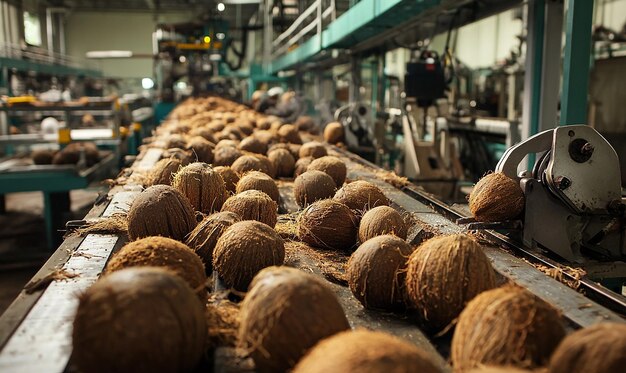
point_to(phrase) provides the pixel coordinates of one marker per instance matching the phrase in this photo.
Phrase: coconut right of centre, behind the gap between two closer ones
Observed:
(361, 196)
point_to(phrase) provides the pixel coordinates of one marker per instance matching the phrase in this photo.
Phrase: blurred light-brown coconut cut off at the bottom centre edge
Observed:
(365, 351)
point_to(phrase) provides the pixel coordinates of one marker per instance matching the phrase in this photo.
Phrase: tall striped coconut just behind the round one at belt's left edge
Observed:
(204, 187)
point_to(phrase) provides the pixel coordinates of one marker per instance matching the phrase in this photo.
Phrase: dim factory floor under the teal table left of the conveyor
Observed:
(23, 247)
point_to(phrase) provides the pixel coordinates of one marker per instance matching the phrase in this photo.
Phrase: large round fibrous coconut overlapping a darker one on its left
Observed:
(439, 262)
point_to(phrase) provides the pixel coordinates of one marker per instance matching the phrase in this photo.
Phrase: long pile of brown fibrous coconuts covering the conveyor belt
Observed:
(213, 216)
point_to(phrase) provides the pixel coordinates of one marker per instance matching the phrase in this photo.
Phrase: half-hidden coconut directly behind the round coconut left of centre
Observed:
(253, 205)
